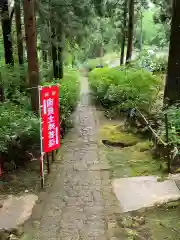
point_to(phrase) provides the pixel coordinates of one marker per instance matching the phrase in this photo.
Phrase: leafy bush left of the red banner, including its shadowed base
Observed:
(19, 131)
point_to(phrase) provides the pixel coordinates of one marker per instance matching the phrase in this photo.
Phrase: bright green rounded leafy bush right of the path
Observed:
(126, 88)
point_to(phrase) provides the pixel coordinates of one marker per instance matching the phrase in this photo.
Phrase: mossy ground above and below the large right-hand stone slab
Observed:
(157, 223)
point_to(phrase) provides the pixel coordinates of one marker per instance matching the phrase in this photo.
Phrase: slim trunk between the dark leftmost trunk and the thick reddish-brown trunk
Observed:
(19, 32)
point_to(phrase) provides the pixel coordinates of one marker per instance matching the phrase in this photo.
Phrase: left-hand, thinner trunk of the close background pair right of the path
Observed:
(124, 30)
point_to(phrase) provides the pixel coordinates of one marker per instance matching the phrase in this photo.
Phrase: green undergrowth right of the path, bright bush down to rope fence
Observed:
(140, 85)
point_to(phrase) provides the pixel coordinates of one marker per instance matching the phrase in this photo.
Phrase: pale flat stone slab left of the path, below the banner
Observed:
(16, 210)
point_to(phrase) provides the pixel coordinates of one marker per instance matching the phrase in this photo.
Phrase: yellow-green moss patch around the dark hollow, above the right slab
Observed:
(135, 160)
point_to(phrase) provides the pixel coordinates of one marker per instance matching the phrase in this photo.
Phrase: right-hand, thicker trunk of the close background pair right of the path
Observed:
(130, 31)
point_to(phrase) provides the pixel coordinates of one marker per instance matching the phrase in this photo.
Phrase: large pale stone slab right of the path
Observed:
(141, 192)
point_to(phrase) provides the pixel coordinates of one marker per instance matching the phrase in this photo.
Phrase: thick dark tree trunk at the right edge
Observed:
(172, 87)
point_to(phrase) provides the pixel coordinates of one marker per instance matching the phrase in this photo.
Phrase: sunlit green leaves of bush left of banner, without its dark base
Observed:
(17, 124)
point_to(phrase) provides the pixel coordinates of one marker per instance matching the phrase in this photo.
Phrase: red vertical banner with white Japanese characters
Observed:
(49, 111)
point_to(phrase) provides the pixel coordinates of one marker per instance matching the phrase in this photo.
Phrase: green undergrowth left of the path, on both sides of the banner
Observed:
(19, 127)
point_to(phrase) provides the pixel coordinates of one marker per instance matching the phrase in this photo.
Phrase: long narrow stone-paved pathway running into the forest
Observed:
(75, 206)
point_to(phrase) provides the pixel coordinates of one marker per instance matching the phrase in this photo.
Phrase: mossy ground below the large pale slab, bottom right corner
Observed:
(156, 223)
